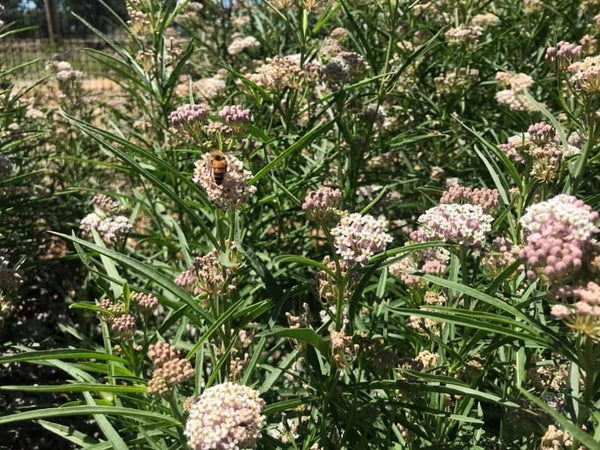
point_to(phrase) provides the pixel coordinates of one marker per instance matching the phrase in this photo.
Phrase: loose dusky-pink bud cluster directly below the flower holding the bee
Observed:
(208, 277)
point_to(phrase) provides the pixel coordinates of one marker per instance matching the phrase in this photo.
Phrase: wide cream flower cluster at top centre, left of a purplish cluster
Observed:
(282, 72)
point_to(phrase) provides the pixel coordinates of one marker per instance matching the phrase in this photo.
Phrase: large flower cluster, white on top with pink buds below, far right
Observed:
(558, 233)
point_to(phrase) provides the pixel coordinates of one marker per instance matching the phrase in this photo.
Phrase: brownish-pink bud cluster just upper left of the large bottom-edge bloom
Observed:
(170, 370)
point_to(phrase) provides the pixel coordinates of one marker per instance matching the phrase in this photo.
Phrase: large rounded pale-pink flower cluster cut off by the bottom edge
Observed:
(227, 415)
